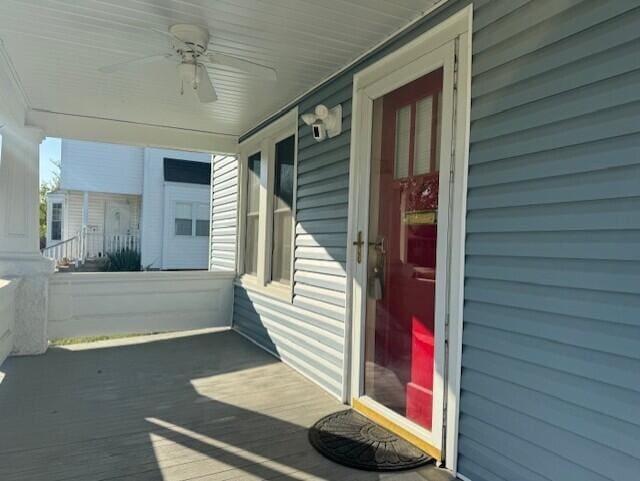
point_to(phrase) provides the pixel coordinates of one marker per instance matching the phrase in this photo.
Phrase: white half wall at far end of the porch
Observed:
(91, 304)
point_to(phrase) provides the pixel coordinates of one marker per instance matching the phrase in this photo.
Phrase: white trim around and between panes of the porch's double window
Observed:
(265, 142)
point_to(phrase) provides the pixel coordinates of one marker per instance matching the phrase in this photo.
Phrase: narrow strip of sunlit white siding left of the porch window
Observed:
(224, 213)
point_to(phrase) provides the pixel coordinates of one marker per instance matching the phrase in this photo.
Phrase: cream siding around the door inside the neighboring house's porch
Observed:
(97, 205)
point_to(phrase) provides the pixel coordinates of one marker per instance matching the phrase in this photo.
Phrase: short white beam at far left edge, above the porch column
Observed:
(12, 95)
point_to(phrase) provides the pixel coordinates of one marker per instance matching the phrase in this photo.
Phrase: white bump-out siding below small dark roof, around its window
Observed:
(183, 252)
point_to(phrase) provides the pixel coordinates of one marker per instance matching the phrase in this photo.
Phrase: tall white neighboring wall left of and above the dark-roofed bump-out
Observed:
(153, 218)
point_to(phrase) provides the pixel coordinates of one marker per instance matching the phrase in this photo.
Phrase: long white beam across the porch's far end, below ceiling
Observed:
(70, 126)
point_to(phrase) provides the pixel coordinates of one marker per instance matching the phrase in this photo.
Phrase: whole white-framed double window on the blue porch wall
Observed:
(268, 206)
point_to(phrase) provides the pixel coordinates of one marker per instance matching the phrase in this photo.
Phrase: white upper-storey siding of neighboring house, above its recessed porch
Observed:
(100, 167)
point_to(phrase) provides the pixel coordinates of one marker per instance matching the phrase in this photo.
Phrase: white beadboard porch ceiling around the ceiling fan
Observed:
(57, 46)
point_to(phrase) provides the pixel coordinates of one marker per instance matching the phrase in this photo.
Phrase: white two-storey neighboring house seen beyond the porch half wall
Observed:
(115, 196)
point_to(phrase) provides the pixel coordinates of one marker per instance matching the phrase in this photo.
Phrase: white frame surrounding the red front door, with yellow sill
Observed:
(449, 40)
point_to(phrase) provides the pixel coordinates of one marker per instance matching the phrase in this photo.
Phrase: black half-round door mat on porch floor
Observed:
(350, 439)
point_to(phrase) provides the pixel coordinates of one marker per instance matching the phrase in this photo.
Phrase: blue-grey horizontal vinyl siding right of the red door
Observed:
(551, 358)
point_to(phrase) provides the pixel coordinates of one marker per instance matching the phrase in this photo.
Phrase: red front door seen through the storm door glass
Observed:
(399, 349)
